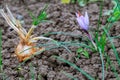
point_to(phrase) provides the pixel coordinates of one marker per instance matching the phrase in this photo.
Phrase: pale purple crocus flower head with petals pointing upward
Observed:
(83, 21)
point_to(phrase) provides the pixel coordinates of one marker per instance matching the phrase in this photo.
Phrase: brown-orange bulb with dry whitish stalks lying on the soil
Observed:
(26, 47)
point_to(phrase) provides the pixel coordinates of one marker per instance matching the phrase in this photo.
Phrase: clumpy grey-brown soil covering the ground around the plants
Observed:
(44, 66)
